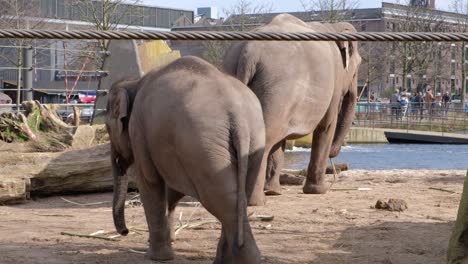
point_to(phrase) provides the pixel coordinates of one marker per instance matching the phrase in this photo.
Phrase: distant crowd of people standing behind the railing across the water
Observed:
(405, 104)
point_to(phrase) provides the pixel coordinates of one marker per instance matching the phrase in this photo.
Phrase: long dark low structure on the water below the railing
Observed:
(423, 138)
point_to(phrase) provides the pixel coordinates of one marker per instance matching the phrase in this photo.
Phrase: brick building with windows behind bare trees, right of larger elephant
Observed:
(436, 64)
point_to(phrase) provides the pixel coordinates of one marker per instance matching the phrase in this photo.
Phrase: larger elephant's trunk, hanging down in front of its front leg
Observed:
(345, 119)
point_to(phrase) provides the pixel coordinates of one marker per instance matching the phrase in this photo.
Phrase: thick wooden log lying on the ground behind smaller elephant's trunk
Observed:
(30, 174)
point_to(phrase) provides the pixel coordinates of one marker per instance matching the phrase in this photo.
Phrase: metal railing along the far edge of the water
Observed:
(435, 117)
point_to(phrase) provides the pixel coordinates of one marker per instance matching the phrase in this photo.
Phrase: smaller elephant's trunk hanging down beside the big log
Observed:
(120, 195)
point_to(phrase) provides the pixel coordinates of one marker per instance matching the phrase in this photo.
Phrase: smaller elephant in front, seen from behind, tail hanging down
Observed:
(188, 129)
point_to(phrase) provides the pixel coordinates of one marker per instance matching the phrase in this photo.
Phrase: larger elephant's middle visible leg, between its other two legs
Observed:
(274, 167)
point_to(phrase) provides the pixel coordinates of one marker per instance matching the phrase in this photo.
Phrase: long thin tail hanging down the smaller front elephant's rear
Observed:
(241, 142)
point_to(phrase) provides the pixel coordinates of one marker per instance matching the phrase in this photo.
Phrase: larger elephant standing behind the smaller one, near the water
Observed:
(303, 87)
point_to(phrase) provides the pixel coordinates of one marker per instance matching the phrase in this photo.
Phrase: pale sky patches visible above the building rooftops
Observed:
(278, 5)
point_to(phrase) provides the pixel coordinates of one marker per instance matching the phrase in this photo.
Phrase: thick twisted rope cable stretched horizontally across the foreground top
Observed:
(232, 35)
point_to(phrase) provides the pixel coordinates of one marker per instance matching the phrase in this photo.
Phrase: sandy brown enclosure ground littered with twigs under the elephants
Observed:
(338, 227)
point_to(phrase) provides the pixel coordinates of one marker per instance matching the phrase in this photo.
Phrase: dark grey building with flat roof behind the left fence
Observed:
(58, 62)
